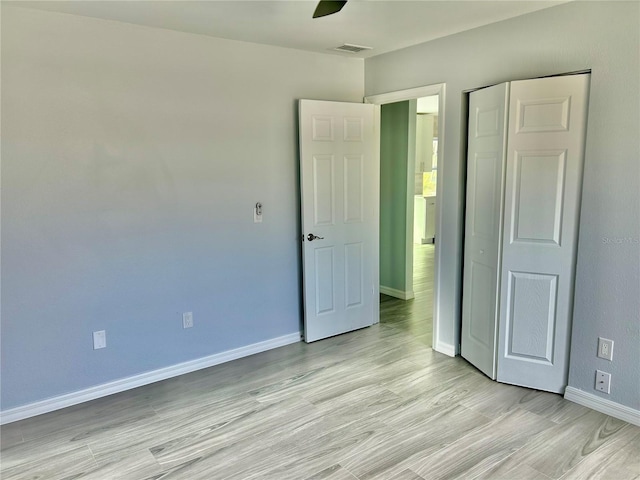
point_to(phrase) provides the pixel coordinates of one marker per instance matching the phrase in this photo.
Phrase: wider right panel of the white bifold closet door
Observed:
(547, 120)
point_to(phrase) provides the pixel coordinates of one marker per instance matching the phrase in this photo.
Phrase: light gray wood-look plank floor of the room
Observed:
(373, 404)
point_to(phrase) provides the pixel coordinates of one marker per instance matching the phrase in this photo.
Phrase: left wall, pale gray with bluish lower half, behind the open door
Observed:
(131, 161)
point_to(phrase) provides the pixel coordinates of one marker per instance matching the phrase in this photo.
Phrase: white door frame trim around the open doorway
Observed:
(411, 94)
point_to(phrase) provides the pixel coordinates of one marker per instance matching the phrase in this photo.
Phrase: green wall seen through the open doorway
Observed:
(397, 150)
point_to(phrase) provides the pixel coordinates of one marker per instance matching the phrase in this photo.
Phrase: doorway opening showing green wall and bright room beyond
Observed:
(411, 129)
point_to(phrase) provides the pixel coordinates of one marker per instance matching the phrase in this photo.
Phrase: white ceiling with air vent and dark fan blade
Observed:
(384, 25)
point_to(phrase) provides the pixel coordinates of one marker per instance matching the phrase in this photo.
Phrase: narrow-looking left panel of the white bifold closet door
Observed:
(483, 226)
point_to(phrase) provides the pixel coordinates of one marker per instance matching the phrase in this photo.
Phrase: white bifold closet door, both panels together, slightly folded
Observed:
(519, 264)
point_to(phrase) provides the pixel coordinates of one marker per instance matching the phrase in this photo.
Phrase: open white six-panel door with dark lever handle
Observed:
(339, 171)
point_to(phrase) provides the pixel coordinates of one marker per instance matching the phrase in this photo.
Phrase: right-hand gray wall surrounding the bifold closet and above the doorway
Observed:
(603, 37)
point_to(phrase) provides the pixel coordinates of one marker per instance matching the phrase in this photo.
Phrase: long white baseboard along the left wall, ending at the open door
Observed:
(98, 391)
